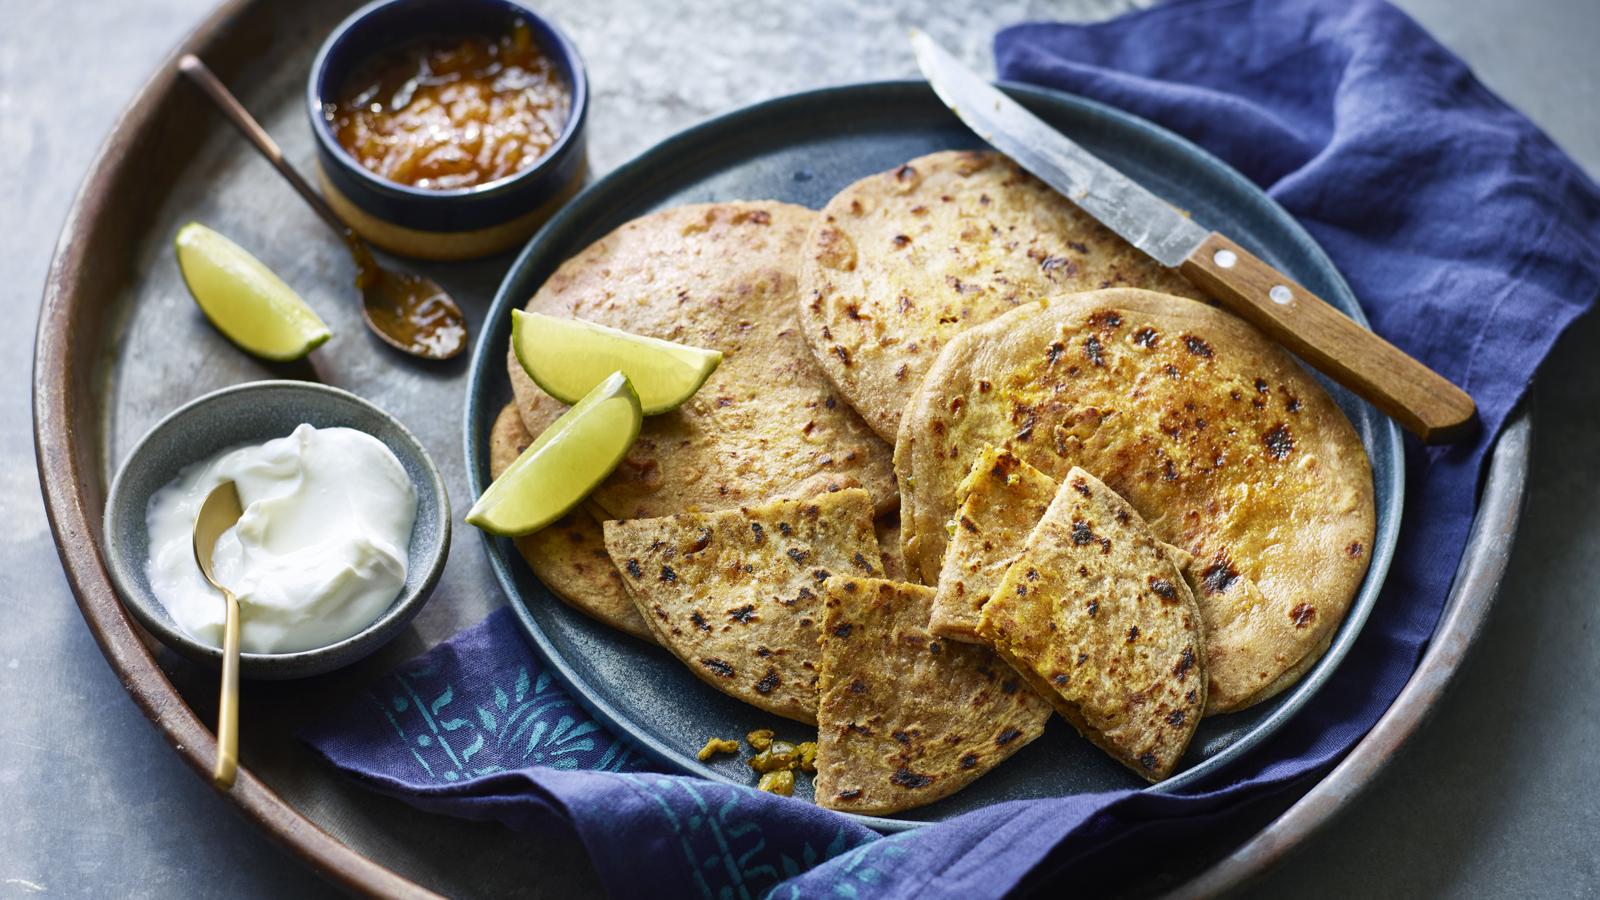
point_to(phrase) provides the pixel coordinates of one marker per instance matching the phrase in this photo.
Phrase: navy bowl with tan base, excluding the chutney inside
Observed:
(458, 223)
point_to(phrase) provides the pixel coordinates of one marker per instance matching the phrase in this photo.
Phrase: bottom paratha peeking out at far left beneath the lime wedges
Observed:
(569, 556)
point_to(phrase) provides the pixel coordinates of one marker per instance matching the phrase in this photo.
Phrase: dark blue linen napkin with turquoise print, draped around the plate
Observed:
(1471, 241)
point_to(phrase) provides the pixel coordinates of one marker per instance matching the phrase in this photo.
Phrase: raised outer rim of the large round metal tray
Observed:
(68, 499)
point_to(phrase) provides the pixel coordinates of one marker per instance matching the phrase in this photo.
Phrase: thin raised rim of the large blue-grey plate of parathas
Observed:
(476, 420)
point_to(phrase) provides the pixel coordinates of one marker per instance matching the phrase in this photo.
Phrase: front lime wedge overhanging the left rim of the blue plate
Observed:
(564, 464)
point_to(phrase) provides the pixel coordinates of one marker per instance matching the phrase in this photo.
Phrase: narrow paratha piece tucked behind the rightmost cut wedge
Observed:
(1001, 502)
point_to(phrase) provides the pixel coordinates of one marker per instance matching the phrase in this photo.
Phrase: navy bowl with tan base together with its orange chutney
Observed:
(449, 129)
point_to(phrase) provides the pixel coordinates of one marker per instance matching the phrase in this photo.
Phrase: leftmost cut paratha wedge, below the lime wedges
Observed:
(737, 595)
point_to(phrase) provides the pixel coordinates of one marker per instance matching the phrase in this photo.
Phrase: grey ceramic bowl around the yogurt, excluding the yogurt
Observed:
(254, 414)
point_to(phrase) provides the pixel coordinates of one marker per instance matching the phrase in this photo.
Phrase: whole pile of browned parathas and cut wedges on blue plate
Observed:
(956, 470)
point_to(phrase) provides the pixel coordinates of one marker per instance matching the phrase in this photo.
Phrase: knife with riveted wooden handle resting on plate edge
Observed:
(1406, 390)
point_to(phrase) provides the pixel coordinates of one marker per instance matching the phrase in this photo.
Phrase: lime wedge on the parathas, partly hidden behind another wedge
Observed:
(567, 358)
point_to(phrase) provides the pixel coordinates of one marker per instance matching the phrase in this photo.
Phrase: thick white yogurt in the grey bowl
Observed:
(319, 555)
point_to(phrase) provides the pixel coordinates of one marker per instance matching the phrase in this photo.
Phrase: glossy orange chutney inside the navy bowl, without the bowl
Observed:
(454, 115)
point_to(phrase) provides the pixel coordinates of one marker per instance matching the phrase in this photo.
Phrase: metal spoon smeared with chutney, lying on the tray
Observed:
(410, 313)
